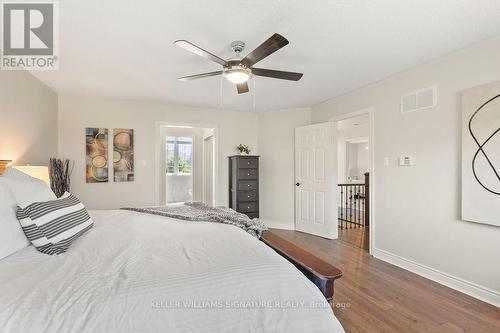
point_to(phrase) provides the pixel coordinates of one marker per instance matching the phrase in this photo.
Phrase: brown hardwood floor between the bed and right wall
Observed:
(374, 296)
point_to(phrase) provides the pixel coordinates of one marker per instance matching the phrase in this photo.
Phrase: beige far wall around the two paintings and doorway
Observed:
(78, 112)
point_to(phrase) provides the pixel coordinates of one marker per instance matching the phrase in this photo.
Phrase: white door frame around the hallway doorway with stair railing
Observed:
(371, 143)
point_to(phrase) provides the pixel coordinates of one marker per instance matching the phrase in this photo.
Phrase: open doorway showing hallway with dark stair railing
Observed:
(353, 179)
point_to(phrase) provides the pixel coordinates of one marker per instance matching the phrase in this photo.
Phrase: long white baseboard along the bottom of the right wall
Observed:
(485, 294)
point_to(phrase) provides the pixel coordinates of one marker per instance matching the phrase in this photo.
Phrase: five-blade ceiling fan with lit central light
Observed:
(238, 70)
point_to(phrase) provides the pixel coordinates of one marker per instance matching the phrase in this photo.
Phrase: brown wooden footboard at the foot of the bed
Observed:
(321, 273)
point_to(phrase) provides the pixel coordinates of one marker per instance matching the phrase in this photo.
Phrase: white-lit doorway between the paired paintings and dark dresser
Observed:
(186, 164)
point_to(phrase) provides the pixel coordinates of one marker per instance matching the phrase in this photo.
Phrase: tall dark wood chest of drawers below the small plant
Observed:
(244, 184)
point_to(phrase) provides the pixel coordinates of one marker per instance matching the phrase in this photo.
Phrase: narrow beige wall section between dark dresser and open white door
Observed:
(277, 174)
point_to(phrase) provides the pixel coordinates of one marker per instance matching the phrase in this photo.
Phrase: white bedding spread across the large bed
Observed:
(141, 273)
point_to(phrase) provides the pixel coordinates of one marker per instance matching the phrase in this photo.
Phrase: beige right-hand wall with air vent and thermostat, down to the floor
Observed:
(417, 213)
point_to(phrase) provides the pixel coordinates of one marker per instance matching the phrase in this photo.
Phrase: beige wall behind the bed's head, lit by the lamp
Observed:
(28, 119)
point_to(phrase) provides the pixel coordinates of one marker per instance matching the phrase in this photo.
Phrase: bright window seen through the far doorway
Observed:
(179, 154)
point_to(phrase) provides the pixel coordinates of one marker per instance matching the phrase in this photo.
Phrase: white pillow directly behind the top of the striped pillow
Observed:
(26, 188)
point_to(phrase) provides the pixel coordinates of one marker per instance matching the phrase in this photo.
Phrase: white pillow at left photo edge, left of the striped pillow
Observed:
(12, 238)
